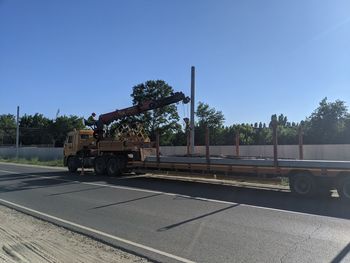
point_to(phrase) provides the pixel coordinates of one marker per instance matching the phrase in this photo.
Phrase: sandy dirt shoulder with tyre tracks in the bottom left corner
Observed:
(26, 239)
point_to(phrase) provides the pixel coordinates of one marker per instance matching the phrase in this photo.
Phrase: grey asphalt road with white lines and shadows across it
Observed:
(173, 221)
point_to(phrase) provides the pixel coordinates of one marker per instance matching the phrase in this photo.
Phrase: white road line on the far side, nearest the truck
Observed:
(171, 194)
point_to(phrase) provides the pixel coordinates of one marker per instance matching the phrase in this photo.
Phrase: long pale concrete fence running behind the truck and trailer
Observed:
(311, 152)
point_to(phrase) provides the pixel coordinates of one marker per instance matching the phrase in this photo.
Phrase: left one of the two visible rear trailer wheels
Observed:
(302, 184)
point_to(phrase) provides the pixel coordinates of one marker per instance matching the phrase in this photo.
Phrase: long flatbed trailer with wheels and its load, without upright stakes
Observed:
(306, 177)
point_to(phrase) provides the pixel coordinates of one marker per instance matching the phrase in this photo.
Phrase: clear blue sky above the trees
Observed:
(253, 58)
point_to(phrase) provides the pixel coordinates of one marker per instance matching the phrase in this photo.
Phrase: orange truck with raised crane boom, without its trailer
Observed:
(96, 148)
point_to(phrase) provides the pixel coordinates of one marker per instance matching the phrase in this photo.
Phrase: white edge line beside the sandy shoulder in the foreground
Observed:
(119, 239)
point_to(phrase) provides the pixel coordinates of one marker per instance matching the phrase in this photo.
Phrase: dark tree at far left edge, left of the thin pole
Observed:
(7, 129)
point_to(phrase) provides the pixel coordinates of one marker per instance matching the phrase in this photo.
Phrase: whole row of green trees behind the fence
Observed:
(329, 123)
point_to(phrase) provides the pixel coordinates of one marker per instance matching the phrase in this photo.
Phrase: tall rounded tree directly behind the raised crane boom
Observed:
(164, 119)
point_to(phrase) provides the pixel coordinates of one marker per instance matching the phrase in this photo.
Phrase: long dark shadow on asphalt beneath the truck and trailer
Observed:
(256, 197)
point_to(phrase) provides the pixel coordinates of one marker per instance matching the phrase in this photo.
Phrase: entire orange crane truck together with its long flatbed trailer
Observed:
(133, 149)
